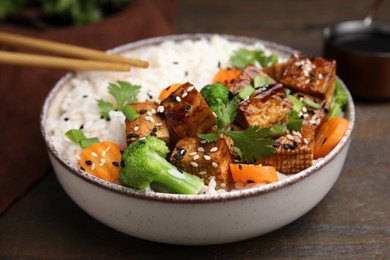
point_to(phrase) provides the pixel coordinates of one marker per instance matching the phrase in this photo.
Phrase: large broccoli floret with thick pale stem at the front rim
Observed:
(144, 164)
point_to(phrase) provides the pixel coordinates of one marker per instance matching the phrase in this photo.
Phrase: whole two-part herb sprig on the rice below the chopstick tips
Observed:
(124, 94)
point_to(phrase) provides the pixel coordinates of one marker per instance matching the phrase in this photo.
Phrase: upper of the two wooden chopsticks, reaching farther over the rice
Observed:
(68, 50)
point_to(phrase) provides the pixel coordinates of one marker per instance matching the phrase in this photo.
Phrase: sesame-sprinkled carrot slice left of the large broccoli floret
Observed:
(102, 160)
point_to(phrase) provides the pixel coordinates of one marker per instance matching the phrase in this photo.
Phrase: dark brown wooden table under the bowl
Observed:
(352, 221)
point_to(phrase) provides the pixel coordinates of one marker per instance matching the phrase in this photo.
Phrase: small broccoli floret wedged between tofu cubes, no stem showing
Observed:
(215, 95)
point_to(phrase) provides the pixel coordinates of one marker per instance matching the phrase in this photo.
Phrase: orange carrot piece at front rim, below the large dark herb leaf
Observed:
(249, 173)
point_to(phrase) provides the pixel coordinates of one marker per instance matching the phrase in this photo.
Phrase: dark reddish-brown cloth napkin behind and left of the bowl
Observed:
(23, 89)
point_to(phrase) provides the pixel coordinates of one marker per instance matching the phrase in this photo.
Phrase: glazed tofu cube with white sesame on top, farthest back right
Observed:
(311, 75)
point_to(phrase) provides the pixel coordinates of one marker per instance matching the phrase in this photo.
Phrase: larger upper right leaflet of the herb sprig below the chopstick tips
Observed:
(124, 93)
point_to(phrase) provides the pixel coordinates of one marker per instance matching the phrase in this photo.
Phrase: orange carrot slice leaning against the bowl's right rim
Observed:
(328, 135)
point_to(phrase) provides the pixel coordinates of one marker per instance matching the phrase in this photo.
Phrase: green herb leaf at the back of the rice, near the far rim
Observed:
(242, 57)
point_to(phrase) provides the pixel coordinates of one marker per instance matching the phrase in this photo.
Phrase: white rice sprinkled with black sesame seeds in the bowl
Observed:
(170, 62)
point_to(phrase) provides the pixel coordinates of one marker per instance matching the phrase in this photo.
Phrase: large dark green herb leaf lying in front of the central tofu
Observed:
(251, 143)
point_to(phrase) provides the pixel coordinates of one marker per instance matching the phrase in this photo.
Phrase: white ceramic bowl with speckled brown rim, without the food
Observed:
(196, 219)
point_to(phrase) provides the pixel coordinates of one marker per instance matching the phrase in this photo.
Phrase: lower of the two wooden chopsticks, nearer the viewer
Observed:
(25, 59)
